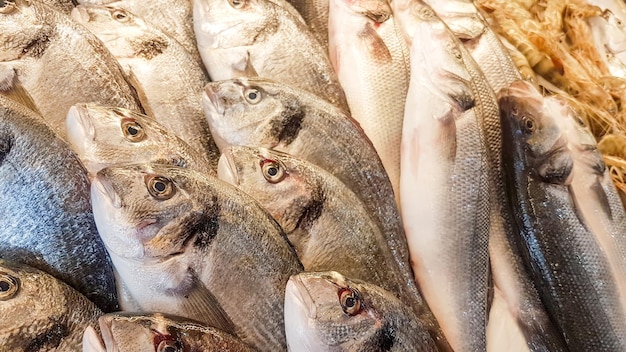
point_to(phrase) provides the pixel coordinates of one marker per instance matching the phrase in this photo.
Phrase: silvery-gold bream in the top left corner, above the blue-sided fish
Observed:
(35, 47)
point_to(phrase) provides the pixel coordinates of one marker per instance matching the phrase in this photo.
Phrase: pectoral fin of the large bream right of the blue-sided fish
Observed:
(202, 301)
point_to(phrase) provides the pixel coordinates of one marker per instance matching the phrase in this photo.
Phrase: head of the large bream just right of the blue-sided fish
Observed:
(146, 211)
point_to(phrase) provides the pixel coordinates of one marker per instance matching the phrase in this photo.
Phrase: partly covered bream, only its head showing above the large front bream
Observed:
(105, 136)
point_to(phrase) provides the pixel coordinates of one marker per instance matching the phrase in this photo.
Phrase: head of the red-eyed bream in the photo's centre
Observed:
(284, 185)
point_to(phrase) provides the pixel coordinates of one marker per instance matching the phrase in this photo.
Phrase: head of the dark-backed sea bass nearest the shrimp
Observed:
(531, 133)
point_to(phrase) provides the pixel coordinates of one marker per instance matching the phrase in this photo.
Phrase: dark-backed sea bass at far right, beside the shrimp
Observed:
(567, 265)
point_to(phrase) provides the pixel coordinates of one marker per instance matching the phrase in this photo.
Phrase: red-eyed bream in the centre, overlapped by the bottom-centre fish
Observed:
(327, 224)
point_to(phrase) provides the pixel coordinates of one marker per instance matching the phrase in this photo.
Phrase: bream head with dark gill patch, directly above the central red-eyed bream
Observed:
(252, 111)
